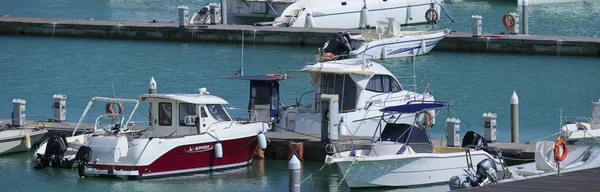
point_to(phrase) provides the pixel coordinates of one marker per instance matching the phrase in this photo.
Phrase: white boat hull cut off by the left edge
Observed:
(15, 140)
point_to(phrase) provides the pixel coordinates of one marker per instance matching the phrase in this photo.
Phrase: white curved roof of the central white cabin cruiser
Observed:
(347, 66)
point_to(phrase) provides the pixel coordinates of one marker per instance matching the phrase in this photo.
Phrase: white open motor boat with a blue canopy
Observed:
(403, 155)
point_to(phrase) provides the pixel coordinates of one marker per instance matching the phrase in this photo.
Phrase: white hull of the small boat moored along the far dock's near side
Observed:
(408, 45)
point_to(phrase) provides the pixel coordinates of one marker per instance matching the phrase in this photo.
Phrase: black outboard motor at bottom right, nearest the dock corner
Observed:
(486, 174)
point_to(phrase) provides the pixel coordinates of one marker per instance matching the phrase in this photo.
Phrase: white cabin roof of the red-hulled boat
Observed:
(188, 98)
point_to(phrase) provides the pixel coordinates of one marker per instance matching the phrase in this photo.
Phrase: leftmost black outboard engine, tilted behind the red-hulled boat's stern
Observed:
(56, 146)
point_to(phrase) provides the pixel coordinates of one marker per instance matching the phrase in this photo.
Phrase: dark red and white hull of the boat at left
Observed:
(182, 159)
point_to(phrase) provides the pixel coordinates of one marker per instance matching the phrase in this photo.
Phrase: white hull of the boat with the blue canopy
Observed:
(420, 169)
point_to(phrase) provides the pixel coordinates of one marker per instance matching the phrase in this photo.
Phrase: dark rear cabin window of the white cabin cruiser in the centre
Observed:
(343, 86)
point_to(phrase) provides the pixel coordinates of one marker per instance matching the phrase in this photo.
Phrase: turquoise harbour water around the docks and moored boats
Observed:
(35, 68)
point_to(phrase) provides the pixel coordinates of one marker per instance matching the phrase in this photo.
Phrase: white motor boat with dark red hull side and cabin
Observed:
(188, 133)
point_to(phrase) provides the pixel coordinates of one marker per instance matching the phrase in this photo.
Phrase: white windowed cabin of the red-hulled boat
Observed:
(185, 114)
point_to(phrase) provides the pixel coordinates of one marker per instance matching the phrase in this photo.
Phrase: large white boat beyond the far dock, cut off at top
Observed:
(351, 14)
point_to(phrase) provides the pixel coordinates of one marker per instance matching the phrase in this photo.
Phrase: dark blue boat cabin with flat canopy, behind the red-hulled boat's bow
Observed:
(264, 102)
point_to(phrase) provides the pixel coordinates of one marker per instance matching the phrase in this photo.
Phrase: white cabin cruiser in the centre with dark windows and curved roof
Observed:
(350, 92)
